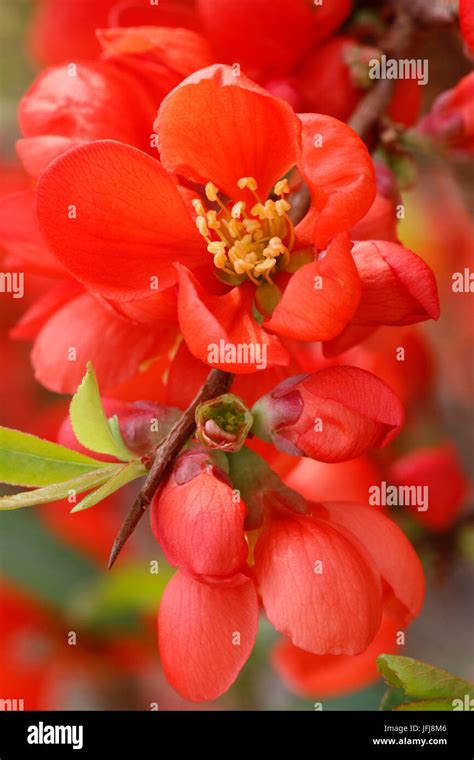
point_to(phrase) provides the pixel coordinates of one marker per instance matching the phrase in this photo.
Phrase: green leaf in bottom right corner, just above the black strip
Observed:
(421, 680)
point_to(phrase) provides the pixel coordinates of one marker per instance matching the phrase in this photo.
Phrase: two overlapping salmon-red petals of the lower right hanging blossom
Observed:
(320, 575)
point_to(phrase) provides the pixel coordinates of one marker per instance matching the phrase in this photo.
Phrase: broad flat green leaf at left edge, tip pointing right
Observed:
(26, 460)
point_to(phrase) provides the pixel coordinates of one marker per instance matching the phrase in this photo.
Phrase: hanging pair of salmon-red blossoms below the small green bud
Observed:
(325, 572)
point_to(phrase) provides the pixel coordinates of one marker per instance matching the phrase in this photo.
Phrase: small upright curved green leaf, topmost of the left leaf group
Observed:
(89, 421)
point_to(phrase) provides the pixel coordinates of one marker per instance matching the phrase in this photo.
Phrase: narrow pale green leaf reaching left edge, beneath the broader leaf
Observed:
(57, 491)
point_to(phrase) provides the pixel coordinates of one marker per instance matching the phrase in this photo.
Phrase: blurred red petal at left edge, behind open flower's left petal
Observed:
(20, 235)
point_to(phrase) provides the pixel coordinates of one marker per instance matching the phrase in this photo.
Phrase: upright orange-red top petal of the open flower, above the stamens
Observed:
(205, 135)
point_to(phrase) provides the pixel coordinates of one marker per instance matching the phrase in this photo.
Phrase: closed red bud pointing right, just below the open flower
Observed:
(333, 415)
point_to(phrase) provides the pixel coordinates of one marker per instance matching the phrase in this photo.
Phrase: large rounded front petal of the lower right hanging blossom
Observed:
(335, 611)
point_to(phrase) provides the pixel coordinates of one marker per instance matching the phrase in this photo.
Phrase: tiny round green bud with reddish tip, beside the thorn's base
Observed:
(223, 423)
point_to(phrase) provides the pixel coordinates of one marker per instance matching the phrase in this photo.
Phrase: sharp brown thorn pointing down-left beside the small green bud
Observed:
(217, 382)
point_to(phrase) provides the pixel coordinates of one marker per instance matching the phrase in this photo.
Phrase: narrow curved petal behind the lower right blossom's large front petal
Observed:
(391, 552)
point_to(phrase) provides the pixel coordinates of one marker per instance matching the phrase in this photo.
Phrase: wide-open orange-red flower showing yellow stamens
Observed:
(132, 224)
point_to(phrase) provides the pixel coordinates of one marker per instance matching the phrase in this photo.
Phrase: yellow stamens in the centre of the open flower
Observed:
(255, 242)
